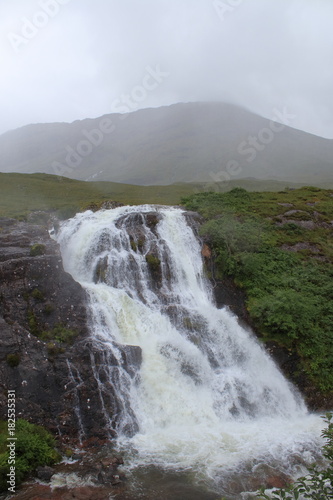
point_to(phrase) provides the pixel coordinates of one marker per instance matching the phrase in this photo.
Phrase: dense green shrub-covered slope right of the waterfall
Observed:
(284, 266)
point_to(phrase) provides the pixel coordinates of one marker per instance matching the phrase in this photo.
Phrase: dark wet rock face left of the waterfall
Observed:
(46, 353)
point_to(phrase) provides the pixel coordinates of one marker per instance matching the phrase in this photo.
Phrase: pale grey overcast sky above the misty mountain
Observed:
(63, 60)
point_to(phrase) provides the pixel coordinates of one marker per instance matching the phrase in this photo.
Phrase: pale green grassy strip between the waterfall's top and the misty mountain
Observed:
(23, 193)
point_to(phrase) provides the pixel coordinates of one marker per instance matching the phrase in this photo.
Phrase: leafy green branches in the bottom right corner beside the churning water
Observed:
(318, 484)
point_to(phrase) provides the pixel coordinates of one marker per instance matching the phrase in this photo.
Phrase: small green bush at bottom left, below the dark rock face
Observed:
(34, 447)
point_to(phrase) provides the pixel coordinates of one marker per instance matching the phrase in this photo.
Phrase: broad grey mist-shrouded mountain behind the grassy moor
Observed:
(190, 142)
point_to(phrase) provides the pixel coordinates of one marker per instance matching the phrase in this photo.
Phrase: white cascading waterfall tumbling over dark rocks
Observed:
(207, 396)
